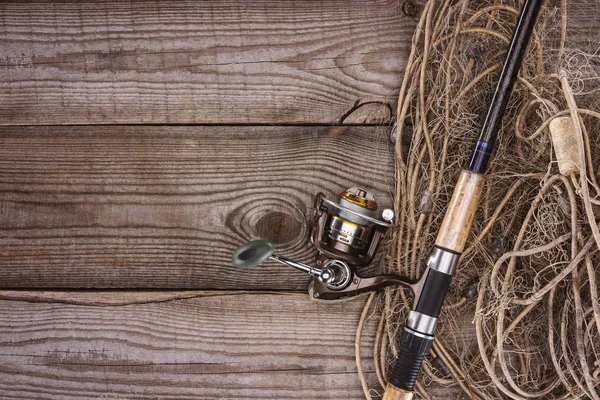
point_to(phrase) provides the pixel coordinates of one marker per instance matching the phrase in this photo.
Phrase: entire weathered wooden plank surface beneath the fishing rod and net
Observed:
(163, 206)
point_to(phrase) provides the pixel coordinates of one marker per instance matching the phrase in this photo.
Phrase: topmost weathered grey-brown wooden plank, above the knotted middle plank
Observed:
(227, 61)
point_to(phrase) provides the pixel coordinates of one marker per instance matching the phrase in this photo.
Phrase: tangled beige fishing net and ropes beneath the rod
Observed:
(527, 276)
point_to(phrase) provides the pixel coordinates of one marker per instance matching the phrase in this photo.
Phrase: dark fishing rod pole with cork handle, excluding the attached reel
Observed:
(430, 291)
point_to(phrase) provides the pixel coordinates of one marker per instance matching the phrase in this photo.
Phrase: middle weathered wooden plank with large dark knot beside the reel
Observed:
(165, 207)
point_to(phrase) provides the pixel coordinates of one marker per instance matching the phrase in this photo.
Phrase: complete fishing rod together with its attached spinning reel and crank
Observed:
(346, 233)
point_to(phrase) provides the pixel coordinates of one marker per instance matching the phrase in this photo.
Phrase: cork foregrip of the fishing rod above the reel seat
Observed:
(457, 222)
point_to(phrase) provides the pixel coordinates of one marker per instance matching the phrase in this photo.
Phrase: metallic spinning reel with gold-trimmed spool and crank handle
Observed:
(346, 235)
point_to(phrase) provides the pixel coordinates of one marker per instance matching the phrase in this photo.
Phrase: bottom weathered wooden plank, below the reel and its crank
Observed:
(213, 346)
